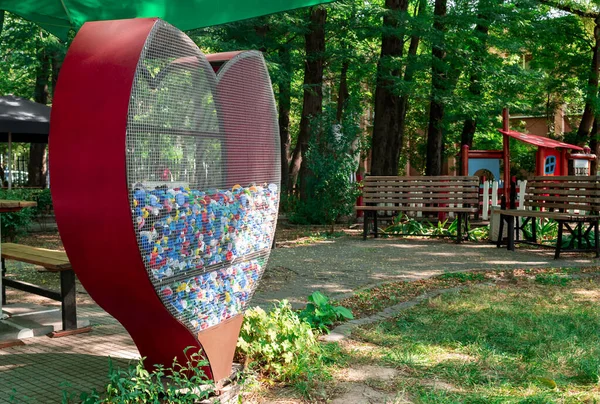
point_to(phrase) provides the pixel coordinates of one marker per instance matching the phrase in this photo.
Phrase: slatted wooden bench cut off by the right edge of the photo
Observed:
(572, 201)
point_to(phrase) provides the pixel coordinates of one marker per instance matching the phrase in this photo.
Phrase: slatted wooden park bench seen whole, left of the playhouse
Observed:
(456, 194)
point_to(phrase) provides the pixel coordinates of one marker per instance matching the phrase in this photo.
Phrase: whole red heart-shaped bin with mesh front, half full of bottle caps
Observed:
(165, 180)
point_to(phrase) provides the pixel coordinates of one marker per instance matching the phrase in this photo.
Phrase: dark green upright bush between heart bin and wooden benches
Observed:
(332, 161)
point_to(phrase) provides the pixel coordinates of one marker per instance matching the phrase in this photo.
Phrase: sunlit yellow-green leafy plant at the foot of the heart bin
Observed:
(283, 348)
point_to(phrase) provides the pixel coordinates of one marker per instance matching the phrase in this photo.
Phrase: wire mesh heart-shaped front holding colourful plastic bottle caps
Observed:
(203, 176)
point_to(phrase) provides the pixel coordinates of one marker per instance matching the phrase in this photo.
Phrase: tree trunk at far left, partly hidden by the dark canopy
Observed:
(36, 168)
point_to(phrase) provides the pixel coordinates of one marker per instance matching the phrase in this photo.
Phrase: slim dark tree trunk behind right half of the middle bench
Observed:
(439, 83)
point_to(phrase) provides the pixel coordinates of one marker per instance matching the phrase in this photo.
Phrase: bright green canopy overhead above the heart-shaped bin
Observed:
(58, 16)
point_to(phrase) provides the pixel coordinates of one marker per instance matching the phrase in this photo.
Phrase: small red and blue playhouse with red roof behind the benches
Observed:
(552, 157)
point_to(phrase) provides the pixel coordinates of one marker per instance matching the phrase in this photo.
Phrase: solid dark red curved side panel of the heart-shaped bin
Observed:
(89, 184)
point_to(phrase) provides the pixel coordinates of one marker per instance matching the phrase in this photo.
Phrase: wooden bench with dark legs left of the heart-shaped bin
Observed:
(52, 261)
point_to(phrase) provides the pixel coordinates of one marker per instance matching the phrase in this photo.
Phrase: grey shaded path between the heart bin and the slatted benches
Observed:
(339, 266)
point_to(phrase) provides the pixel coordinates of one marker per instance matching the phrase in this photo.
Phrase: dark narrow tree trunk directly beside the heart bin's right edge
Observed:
(285, 90)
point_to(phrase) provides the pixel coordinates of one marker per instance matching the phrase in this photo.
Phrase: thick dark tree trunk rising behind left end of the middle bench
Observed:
(386, 142)
